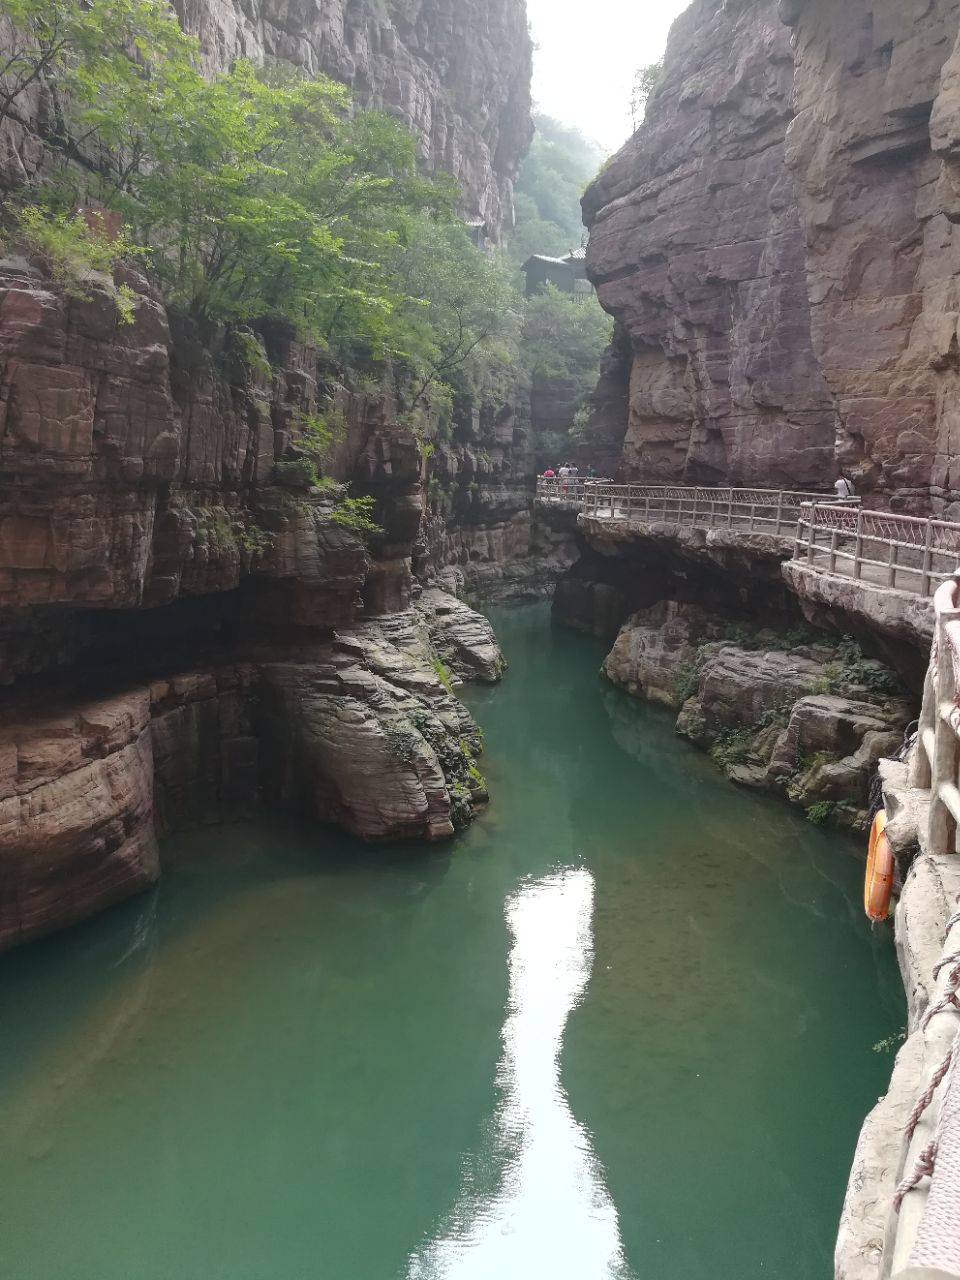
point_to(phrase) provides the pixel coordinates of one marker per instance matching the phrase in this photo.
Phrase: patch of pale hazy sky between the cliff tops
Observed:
(588, 54)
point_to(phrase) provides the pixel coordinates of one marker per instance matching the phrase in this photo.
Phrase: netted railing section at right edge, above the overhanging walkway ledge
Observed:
(907, 554)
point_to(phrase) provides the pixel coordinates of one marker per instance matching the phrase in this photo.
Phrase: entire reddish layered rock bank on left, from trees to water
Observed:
(163, 547)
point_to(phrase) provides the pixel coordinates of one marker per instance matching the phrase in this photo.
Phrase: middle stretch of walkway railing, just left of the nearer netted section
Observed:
(767, 511)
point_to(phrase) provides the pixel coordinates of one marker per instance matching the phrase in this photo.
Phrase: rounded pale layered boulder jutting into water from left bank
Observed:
(372, 739)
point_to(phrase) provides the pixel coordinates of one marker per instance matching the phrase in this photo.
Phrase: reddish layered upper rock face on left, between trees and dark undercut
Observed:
(140, 468)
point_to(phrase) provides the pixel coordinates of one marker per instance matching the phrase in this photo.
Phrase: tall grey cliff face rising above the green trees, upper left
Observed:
(458, 72)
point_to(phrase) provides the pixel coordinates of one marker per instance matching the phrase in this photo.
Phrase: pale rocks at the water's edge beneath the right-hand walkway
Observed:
(784, 717)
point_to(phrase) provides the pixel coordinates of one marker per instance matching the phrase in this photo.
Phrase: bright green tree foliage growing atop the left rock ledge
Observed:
(257, 194)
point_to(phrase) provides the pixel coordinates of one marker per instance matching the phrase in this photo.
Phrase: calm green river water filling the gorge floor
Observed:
(623, 1028)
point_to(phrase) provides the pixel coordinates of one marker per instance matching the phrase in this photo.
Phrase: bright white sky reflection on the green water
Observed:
(534, 1201)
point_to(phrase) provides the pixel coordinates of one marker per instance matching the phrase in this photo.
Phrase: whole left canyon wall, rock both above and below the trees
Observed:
(191, 628)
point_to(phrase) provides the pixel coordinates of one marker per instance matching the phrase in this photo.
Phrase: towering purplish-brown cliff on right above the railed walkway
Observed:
(778, 243)
